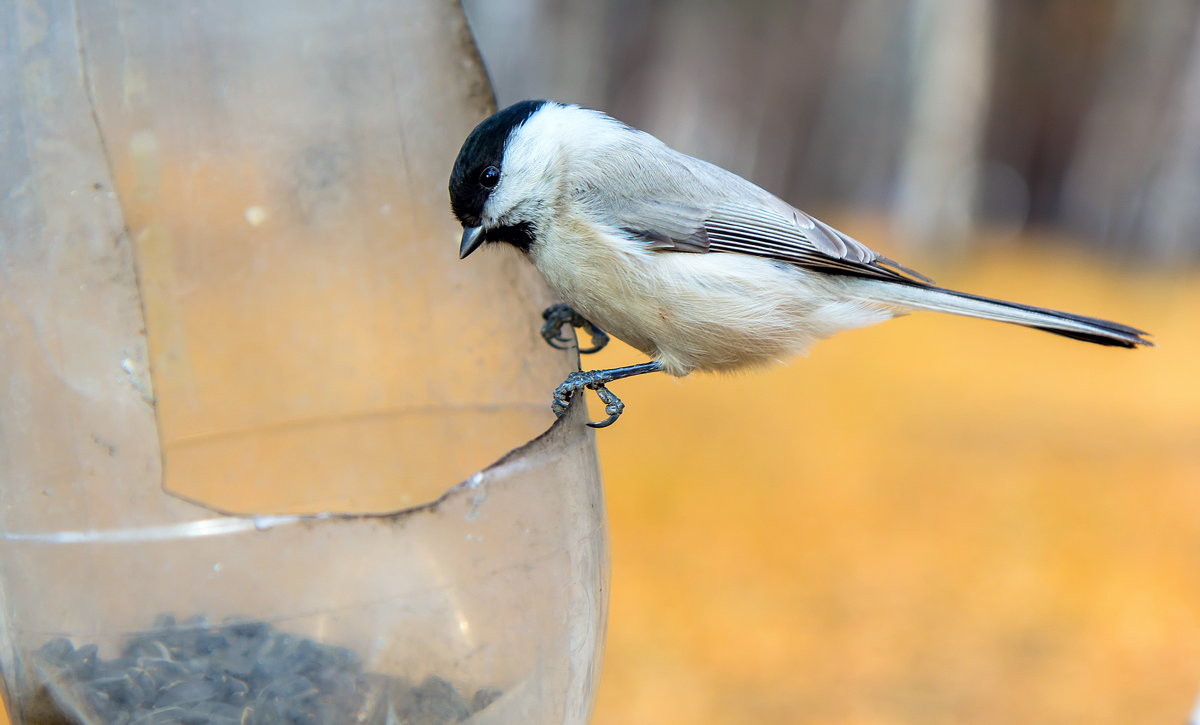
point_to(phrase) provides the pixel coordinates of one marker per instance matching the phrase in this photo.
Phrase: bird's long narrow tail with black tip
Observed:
(1078, 327)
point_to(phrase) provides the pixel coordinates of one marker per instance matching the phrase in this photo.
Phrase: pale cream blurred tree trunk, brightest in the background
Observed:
(940, 166)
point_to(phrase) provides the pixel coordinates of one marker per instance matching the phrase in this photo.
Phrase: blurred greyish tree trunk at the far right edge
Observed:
(1136, 178)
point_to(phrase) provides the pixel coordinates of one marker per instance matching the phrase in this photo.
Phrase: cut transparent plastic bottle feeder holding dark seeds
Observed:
(271, 453)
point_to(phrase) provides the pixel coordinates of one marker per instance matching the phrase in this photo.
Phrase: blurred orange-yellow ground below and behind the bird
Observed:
(935, 520)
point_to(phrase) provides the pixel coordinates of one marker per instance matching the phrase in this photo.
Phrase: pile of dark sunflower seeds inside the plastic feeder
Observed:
(239, 674)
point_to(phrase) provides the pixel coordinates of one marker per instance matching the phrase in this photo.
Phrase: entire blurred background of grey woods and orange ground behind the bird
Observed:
(935, 520)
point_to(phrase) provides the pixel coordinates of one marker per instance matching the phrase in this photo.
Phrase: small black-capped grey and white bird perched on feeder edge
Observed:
(682, 260)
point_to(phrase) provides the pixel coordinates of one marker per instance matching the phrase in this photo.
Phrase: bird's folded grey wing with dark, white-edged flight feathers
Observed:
(763, 227)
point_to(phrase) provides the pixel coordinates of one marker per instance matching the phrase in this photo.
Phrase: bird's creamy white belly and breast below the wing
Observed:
(699, 311)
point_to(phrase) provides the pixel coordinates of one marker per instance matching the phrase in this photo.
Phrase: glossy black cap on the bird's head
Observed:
(484, 148)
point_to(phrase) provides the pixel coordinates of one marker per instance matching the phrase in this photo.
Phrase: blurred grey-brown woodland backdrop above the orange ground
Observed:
(1083, 116)
